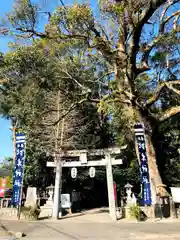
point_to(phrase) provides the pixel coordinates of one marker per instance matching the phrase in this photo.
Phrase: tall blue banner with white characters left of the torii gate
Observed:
(18, 169)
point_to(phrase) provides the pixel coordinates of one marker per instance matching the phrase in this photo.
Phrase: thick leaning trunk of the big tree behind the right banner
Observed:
(121, 68)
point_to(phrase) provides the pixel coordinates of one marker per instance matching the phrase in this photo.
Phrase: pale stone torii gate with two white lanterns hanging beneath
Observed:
(79, 158)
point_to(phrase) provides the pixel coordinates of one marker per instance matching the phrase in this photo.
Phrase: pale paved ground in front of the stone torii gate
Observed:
(95, 227)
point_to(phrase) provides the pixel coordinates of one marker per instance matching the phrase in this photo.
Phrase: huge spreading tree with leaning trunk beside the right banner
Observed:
(127, 35)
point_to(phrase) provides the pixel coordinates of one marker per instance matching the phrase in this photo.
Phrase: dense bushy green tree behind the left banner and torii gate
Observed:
(40, 87)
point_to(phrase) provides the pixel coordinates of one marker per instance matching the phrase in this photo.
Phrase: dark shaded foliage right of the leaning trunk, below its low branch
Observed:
(167, 142)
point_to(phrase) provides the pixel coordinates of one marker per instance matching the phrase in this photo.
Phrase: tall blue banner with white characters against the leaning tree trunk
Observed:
(144, 169)
